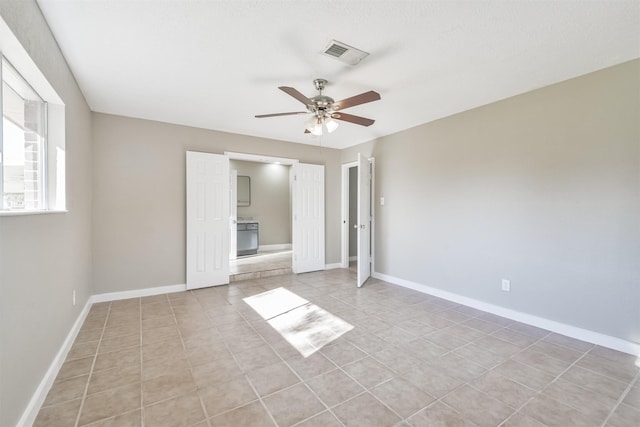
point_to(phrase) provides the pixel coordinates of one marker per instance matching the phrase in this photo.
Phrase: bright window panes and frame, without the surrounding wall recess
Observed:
(23, 144)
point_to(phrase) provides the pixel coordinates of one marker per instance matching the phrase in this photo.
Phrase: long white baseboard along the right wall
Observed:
(540, 322)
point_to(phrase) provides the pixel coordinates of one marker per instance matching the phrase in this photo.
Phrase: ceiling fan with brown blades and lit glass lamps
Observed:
(325, 110)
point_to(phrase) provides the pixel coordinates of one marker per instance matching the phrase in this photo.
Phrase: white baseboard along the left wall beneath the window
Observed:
(31, 411)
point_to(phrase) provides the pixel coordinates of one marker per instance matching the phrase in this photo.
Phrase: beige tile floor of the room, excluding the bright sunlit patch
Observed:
(205, 358)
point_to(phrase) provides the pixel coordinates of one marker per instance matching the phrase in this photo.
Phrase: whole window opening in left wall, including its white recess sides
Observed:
(32, 134)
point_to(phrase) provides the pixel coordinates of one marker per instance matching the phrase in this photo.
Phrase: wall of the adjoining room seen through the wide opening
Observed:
(270, 200)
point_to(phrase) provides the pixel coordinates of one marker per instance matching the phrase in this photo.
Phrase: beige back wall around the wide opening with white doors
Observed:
(139, 196)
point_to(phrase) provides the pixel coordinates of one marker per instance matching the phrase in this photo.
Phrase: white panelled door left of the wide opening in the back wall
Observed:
(207, 220)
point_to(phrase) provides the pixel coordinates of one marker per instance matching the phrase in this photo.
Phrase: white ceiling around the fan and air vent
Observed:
(215, 64)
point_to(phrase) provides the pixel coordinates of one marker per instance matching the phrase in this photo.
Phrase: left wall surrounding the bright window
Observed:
(43, 258)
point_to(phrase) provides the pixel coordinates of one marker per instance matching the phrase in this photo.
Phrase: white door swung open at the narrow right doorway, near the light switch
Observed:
(364, 219)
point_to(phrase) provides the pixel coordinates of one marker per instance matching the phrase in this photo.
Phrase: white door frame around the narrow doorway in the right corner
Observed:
(344, 260)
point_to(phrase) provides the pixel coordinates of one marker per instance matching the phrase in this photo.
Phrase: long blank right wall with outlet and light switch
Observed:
(542, 189)
